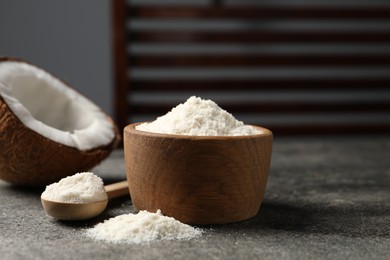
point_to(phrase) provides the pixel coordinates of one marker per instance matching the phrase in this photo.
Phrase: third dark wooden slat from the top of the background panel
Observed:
(256, 60)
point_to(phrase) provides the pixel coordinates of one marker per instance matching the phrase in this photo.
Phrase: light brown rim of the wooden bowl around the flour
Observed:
(130, 128)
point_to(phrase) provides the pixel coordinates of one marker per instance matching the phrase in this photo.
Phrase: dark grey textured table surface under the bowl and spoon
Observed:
(326, 198)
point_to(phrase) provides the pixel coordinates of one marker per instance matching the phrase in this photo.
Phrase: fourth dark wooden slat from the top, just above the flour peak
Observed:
(260, 84)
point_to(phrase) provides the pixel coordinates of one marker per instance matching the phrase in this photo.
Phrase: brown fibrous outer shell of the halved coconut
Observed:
(32, 160)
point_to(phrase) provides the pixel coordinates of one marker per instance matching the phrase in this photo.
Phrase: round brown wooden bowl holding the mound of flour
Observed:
(197, 179)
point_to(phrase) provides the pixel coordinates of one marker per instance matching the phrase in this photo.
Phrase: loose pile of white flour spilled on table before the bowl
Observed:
(143, 227)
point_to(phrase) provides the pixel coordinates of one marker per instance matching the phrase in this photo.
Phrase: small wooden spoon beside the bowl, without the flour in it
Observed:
(81, 211)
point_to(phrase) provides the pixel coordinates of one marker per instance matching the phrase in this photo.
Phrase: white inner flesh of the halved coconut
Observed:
(52, 109)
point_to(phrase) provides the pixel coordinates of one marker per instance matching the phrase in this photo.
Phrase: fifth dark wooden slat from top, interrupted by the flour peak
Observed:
(278, 107)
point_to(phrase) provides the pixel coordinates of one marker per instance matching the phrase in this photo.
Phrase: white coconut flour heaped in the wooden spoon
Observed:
(84, 187)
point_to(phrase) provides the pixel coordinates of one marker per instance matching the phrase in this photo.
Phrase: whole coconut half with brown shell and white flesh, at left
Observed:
(47, 129)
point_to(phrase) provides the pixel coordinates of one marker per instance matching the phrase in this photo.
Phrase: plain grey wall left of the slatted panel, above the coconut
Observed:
(68, 38)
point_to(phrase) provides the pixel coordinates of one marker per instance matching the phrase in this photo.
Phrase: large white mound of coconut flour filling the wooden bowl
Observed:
(198, 117)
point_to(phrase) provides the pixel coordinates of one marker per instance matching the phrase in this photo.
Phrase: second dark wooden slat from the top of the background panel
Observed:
(245, 36)
